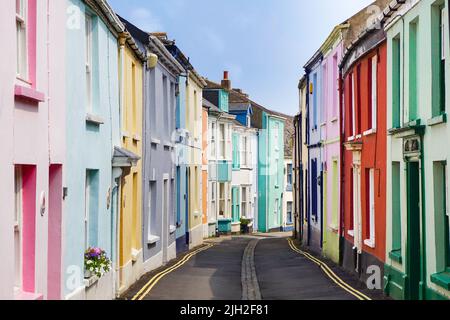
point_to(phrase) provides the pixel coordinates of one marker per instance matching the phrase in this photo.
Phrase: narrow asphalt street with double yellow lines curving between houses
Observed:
(247, 268)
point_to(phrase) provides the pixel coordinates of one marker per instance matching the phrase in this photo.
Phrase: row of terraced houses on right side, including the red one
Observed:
(370, 159)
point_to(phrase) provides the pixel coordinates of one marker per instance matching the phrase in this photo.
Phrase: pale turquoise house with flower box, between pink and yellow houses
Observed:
(93, 122)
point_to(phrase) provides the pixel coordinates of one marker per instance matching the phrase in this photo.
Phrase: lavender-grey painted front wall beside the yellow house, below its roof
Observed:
(159, 227)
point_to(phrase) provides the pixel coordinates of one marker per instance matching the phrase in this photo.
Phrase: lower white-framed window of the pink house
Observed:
(18, 219)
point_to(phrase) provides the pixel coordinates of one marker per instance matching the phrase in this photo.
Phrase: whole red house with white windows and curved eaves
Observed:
(363, 196)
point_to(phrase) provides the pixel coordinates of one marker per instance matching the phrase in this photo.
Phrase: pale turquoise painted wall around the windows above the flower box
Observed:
(90, 139)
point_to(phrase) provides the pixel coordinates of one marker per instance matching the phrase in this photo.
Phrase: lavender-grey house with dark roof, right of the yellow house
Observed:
(160, 217)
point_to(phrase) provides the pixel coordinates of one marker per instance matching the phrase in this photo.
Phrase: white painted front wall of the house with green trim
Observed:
(399, 233)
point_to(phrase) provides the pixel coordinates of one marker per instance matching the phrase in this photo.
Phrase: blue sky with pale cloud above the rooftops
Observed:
(264, 44)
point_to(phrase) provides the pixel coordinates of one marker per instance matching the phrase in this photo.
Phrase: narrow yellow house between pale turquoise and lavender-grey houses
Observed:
(131, 61)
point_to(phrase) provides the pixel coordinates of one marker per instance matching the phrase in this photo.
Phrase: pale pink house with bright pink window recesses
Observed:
(32, 125)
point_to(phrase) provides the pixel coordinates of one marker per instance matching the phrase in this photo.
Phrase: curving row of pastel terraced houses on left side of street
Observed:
(115, 148)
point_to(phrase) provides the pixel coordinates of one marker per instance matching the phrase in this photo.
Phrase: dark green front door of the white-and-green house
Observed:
(414, 235)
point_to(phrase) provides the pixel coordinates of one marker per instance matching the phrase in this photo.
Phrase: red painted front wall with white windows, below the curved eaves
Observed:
(365, 150)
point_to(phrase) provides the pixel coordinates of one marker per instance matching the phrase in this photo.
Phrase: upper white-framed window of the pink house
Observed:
(22, 39)
